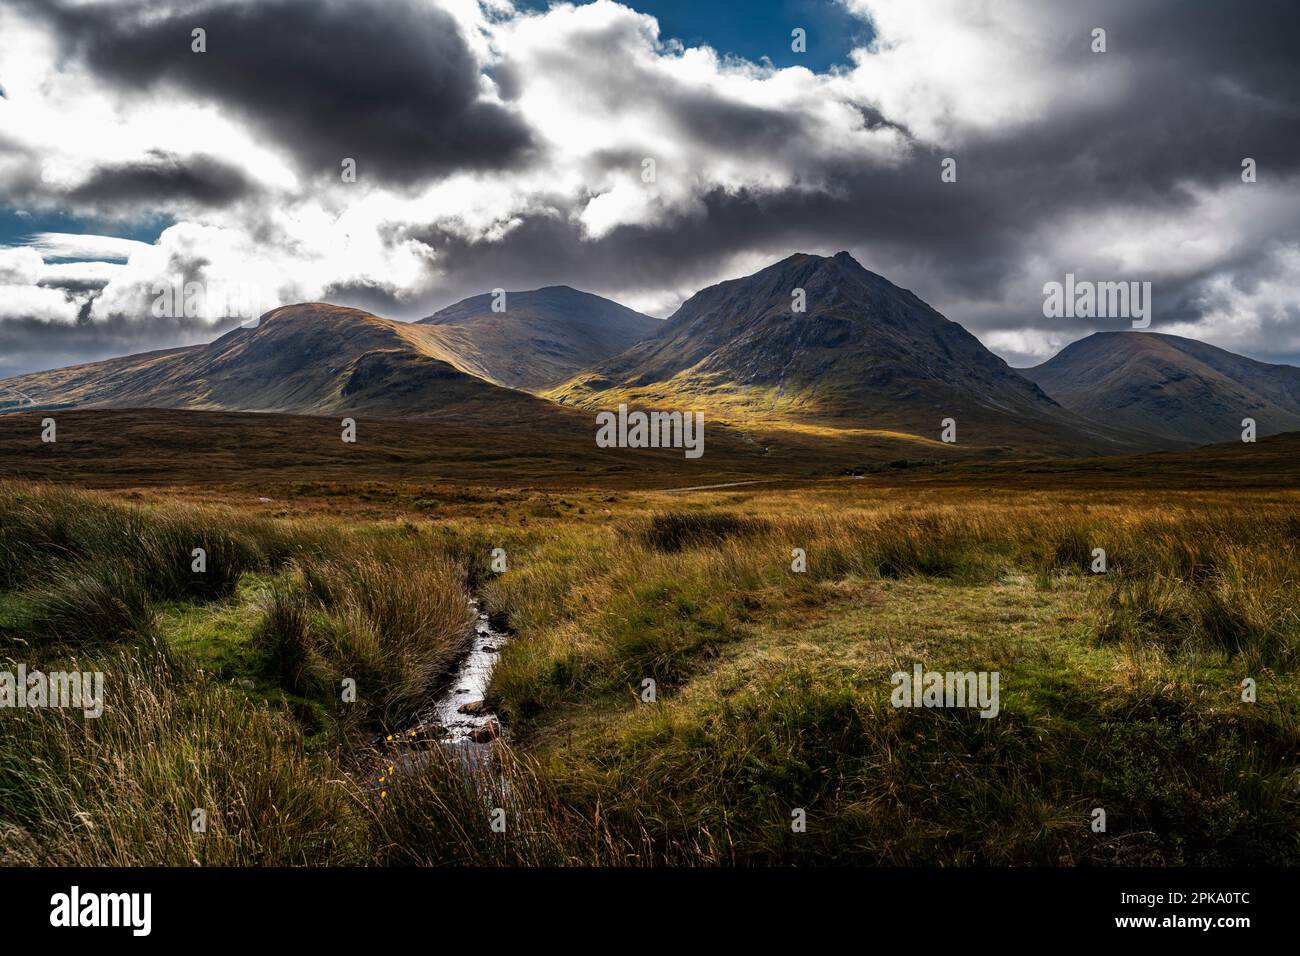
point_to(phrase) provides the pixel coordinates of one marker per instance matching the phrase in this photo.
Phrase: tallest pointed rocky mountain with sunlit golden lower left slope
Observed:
(865, 353)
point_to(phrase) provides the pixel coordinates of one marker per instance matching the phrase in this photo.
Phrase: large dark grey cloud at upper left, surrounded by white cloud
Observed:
(387, 83)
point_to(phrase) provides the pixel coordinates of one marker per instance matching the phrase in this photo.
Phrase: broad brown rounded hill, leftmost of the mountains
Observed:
(309, 360)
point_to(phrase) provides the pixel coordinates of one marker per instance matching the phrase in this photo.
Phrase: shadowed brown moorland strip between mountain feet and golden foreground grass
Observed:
(272, 453)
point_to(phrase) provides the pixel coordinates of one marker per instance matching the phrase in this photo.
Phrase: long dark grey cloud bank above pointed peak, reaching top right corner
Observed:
(1206, 85)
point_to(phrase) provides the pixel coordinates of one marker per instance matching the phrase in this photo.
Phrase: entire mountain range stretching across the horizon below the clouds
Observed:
(808, 345)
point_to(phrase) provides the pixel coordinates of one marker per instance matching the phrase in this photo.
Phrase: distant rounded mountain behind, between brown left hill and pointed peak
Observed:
(541, 339)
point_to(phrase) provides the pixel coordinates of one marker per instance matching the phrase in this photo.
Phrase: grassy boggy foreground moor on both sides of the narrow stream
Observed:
(1120, 691)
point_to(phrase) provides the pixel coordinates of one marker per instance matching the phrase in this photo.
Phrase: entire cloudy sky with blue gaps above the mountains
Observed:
(504, 145)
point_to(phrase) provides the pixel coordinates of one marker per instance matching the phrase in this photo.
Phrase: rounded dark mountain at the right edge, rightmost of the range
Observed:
(1172, 387)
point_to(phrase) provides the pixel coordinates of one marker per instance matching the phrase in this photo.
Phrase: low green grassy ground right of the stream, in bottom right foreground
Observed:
(772, 729)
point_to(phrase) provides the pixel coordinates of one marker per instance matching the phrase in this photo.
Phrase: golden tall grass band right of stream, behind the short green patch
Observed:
(658, 596)
